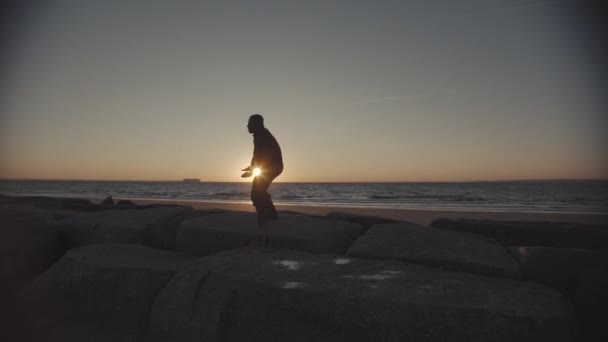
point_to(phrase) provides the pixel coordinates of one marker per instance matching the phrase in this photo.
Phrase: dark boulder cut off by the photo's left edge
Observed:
(29, 245)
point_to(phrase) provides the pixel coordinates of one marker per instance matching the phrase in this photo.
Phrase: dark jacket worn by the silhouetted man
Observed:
(266, 152)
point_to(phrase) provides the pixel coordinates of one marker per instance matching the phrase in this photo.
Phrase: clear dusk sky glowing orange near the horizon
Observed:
(352, 90)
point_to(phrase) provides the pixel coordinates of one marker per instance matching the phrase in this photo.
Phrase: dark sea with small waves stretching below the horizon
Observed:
(584, 196)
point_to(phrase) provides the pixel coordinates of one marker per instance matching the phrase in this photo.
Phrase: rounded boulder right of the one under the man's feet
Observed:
(435, 247)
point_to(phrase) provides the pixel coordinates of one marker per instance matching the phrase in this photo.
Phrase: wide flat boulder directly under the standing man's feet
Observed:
(210, 234)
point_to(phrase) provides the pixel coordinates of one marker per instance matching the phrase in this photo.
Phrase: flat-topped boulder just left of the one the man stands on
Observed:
(154, 227)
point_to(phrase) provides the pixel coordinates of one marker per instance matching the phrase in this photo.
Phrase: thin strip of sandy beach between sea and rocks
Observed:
(422, 216)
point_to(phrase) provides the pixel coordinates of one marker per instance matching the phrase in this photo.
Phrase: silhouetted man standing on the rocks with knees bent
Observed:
(268, 159)
